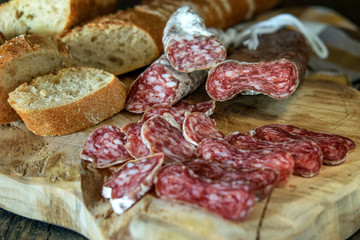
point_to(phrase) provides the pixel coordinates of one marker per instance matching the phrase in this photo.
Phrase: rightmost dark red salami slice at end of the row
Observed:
(334, 149)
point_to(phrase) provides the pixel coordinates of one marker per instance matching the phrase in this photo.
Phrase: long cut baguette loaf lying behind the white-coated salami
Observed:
(131, 39)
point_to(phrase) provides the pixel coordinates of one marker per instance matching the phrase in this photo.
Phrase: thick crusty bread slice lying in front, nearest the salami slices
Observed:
(71, 100)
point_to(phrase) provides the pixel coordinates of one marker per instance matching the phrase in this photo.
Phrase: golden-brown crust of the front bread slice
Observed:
(74, 116)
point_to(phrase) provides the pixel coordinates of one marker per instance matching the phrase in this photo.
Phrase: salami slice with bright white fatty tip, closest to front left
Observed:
(132, 181)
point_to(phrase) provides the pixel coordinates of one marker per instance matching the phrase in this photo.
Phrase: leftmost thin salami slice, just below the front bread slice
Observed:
(105, 147)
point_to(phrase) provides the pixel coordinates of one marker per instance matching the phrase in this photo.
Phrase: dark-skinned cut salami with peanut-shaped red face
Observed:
(274, 69)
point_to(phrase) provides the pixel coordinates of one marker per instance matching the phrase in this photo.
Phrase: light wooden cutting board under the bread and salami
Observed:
(43, 177)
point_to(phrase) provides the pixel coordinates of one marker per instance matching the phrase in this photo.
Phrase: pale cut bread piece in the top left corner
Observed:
(48, 17)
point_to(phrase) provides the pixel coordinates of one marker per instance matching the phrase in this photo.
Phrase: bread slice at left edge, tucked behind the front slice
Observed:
(23, 58)
